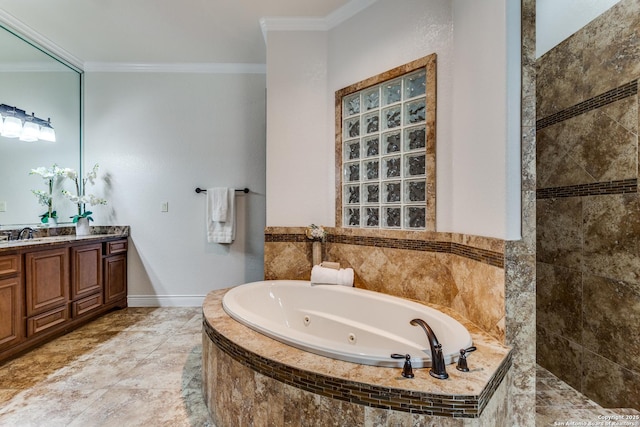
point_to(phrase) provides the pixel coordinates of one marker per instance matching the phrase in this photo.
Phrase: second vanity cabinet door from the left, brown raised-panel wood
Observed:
(47, 280)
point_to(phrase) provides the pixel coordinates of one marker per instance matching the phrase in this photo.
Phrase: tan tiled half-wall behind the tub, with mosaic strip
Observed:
(453, 270)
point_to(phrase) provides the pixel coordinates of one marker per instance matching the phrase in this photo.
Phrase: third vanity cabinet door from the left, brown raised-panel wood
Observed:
(86, 270)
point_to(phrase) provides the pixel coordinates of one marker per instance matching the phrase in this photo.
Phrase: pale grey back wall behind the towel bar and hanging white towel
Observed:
(157, 137)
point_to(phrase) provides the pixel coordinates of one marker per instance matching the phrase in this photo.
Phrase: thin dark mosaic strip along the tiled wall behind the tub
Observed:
(495, 259)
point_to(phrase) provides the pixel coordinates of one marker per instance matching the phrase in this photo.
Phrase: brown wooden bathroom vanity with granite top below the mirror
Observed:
(51, 285)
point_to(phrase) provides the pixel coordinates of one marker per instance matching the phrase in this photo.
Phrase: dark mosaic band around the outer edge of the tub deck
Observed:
(458, 406)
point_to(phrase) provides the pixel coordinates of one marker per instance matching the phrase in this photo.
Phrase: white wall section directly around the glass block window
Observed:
(389, 34)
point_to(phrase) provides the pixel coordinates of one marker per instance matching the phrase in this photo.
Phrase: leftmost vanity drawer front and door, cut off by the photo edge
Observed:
(11, 302)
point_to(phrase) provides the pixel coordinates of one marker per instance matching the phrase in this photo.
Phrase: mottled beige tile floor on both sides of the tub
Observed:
(142, 367)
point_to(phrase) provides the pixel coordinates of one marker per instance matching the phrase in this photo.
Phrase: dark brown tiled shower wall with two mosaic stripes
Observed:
(588, 209)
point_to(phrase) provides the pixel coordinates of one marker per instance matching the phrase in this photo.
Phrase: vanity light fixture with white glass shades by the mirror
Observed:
(16, 123)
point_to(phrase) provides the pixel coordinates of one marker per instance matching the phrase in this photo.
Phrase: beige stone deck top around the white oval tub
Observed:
(486, 364)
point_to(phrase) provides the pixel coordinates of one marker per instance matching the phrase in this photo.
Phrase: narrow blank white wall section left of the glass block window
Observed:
(299, 181)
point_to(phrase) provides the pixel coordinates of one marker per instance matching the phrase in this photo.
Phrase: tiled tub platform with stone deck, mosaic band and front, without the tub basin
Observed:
(303, 386)
